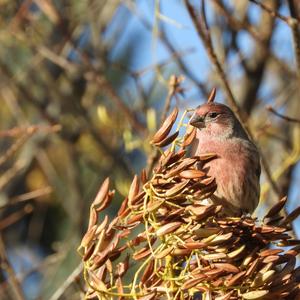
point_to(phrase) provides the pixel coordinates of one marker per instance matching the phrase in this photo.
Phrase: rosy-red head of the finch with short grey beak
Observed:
(218, 120)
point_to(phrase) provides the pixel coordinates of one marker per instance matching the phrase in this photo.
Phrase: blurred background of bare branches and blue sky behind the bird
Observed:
(83, 87)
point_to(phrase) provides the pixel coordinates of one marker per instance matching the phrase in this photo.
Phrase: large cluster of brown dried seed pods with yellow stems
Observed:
(168, 241)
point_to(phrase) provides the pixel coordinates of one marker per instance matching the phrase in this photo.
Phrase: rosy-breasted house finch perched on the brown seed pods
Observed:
(237, 167)
